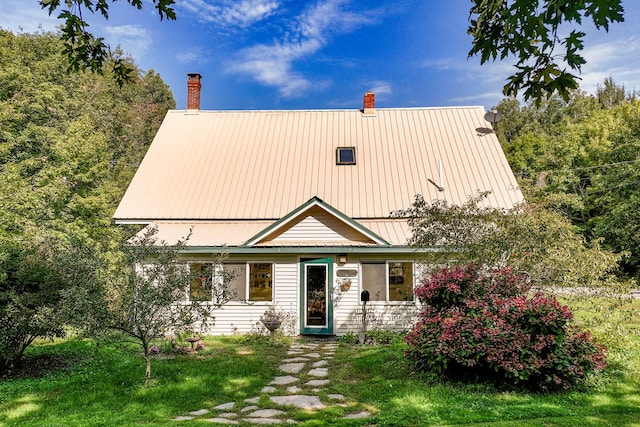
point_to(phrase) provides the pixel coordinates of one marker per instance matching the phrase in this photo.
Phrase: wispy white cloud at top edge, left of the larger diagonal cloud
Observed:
(231, 12)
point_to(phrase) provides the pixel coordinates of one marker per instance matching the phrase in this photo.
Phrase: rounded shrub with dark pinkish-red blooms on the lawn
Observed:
(489, 327)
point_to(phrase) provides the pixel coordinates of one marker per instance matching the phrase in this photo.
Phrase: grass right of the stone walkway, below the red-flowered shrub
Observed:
(379, 378)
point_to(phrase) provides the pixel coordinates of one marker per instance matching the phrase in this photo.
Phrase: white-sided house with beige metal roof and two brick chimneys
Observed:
(301, 201)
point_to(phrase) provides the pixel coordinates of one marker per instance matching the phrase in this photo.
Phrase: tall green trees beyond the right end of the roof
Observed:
(583, 164)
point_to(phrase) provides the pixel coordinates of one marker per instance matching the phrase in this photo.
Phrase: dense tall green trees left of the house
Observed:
(69, 144)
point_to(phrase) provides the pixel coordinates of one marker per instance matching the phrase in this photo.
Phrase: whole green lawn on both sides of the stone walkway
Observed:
(89, 385)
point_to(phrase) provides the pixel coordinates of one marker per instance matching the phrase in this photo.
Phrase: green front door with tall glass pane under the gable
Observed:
(316, 305)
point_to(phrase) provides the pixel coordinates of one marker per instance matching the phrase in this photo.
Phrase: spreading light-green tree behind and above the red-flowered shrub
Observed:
(531, 239)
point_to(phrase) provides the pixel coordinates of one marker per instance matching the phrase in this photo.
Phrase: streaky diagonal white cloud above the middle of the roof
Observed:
(272, 65)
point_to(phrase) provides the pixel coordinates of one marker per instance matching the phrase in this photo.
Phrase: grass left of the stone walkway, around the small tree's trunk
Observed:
(105, 386)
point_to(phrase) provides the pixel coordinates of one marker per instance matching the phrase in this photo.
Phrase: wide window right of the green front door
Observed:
(391, 281)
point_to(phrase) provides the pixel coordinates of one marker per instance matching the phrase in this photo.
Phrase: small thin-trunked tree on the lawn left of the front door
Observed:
(149, 298)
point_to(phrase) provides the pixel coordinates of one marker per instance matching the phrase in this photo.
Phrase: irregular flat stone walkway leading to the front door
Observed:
(285, 391)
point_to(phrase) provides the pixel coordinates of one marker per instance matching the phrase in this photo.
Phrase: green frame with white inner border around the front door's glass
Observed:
(316, 330)
